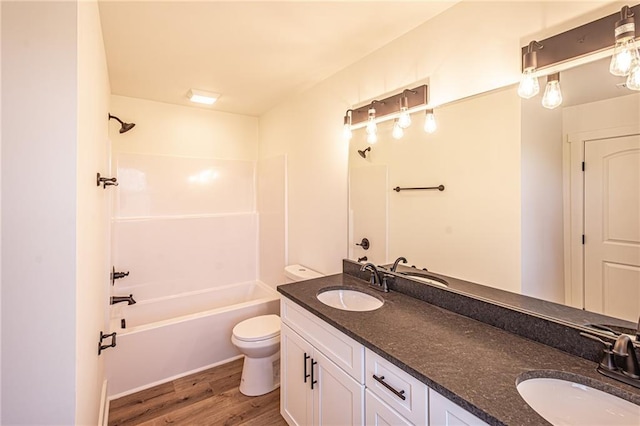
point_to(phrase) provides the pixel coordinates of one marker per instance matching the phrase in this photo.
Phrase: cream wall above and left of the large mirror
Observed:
(484, 55)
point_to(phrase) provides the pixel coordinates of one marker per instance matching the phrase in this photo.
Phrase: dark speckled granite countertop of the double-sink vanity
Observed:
(471, 363)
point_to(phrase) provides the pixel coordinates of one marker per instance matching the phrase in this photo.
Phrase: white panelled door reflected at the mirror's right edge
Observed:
(612, 226)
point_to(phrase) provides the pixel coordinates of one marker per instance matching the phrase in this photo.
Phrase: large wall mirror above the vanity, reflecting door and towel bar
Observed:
(516, 201)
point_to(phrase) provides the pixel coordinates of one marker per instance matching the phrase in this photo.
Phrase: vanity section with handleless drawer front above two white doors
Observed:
(315, 390)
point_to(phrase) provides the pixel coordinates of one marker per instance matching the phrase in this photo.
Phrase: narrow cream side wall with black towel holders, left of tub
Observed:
(92, 276)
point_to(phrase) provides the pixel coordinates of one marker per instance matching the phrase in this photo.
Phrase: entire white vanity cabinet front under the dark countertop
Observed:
(327, 378)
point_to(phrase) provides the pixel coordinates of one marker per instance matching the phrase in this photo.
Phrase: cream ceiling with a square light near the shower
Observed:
(254, 53)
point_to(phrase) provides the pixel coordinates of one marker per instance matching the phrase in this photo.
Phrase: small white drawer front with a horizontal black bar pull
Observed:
(403, 392)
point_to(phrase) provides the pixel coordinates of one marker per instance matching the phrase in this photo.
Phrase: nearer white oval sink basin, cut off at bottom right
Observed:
(564, 402)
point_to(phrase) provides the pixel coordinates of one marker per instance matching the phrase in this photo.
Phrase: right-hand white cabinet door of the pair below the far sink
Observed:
(337, 397)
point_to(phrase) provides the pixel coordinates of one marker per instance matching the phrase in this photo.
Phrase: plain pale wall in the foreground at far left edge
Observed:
(39, 188)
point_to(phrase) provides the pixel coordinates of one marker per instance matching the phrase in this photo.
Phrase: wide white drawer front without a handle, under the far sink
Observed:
(341, 349)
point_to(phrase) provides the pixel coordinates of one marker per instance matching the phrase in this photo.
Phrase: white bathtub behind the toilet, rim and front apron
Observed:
(173, 336)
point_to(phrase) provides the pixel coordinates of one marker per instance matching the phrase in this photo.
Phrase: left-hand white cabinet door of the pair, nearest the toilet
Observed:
(296, 402)
